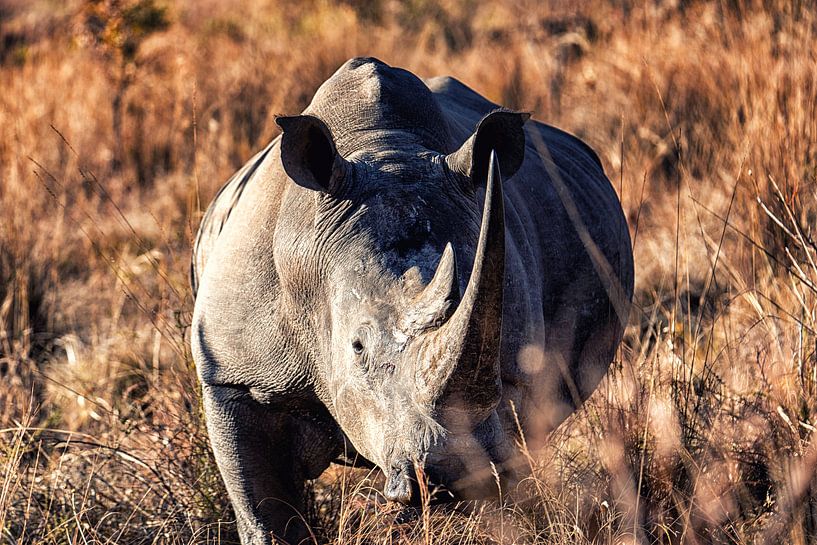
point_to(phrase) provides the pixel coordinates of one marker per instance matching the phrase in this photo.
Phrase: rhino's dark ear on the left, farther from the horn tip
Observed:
(308, 153)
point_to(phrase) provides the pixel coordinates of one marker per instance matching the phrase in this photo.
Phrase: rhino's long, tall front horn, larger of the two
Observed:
(466, 358)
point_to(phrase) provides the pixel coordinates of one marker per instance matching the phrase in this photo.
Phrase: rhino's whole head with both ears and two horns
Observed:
(399, 281)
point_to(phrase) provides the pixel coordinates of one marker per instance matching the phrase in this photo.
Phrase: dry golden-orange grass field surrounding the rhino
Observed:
(119, 120)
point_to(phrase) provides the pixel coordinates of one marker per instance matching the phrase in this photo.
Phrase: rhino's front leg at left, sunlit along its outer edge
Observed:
(264, 457)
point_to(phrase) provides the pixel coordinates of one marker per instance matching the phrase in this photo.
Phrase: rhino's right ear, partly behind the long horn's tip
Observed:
(501, 131)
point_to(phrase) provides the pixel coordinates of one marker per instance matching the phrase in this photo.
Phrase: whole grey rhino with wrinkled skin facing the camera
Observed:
(378, 286)
